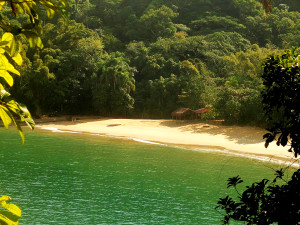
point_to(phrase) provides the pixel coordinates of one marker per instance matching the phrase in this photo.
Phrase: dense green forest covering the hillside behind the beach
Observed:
(146, 58)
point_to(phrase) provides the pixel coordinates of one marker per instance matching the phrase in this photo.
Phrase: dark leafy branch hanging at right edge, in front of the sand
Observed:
(281, 99)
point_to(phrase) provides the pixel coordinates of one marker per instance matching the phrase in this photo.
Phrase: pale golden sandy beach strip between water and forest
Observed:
(235, 139)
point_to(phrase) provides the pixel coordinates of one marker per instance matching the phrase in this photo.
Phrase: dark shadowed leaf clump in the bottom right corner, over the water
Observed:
(265, 202)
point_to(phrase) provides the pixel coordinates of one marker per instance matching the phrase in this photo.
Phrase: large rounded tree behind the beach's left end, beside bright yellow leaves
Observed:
(71, 53)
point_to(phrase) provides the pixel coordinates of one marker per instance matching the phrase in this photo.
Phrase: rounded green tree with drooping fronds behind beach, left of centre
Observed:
(113, 84)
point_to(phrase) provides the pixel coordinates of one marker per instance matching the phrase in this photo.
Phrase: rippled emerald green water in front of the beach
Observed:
(83, 179)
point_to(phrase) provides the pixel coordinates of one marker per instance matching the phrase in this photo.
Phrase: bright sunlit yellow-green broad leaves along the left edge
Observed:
(11, 55)
